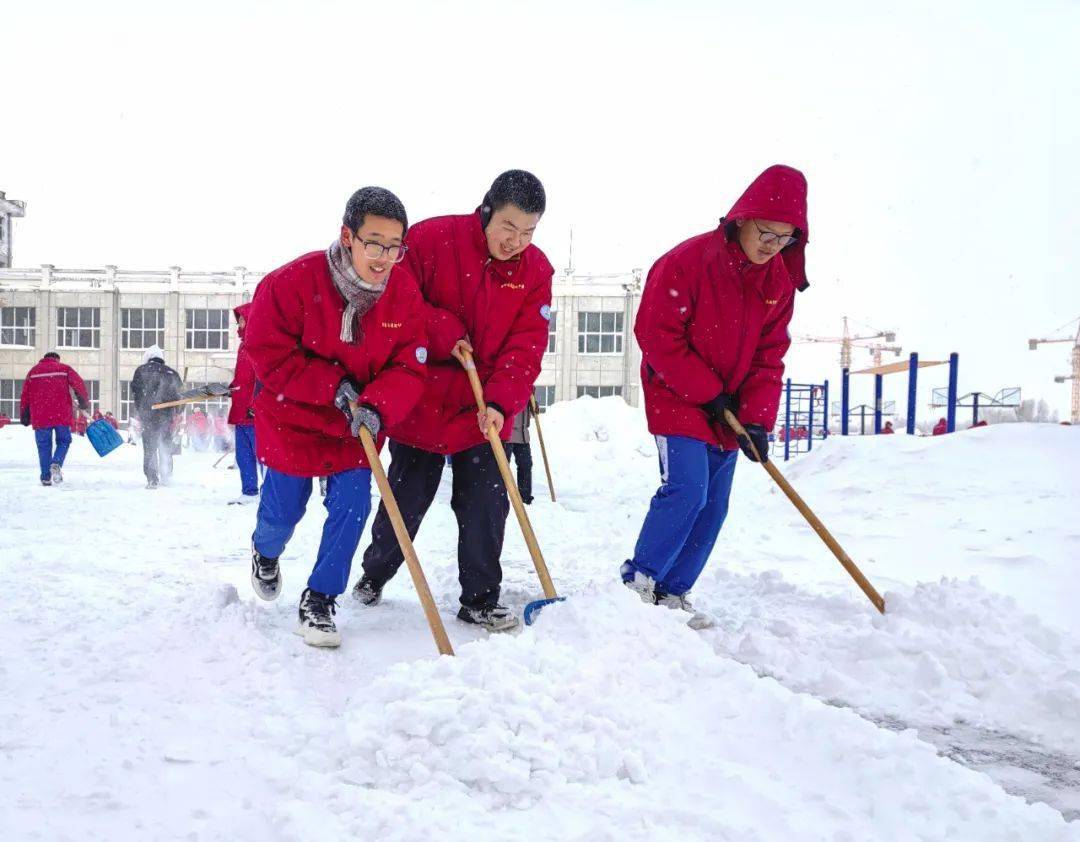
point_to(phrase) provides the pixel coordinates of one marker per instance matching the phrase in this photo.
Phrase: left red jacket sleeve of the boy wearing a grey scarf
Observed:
(274, 344)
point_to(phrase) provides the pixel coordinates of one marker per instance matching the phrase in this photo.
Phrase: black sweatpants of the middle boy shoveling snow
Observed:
(480, 505)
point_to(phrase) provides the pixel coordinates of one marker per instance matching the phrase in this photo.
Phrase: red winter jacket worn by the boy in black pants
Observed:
(503, 306)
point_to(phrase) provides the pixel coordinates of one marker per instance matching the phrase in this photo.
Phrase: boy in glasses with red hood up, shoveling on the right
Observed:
(713, 331)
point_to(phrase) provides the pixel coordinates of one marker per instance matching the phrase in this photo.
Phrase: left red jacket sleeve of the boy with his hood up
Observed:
(661, 331)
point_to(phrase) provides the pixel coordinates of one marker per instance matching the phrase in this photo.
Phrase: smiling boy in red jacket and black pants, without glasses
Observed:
(488, 291)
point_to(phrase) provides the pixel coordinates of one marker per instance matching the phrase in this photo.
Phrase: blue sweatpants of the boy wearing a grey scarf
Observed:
(348, 505)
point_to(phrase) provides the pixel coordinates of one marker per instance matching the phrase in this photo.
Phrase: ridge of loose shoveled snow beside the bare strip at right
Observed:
(946, 653)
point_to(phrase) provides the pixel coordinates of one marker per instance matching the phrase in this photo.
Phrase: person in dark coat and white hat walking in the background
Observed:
(154, 383)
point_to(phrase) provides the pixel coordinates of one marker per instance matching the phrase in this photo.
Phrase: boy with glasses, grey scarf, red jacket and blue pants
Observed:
(337, 341)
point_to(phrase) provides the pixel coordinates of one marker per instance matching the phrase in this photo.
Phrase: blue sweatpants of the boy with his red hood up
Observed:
(686, 513)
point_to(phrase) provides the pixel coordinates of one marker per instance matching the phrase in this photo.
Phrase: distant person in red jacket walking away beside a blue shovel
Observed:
(46, 404)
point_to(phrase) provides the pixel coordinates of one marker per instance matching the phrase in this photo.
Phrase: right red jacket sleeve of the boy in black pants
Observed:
(518, 365)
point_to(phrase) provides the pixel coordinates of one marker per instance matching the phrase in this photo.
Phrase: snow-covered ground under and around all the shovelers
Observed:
(145, 694)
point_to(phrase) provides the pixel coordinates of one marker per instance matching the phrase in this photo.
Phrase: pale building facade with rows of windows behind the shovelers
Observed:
(101, 321)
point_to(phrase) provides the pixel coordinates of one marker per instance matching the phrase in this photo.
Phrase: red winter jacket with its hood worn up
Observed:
(712, 322)
